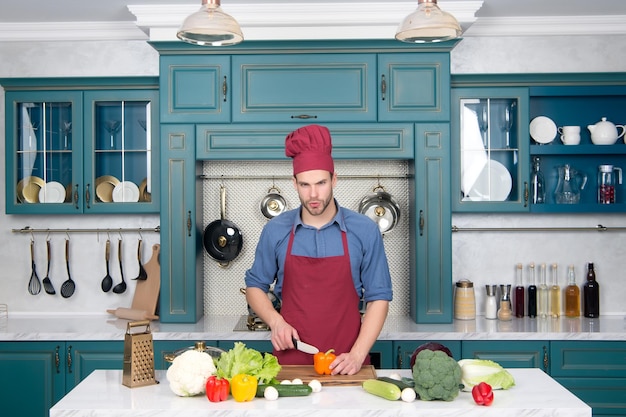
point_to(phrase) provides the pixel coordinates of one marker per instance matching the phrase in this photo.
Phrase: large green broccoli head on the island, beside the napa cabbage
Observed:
(437, 376)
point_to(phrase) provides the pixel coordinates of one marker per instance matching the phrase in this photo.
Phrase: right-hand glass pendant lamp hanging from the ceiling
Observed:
(428, 24)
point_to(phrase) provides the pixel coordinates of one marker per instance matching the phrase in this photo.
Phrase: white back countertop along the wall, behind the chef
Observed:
(106, 327)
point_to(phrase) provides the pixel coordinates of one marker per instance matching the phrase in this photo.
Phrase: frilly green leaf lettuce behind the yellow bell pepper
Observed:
(243, 360)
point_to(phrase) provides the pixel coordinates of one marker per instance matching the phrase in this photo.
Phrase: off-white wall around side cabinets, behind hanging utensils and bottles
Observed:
(482, 257)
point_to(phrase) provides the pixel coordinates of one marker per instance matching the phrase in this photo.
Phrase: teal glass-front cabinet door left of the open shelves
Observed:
(490, 149)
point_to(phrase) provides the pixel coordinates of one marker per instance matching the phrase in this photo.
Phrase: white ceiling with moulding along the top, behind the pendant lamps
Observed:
(157, 19)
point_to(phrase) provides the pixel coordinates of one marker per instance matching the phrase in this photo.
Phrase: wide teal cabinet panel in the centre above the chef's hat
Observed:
(320, 88)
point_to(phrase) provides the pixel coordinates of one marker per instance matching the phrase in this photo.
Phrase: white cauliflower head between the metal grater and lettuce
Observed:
(189, 371)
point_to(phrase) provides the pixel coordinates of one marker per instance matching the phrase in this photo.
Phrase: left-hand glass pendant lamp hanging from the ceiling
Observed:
(210, 26)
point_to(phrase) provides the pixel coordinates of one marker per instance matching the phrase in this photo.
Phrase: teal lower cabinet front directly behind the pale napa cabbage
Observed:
(511, 354)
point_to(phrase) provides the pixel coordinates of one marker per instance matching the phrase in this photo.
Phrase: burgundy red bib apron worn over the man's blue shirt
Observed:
(320, 302)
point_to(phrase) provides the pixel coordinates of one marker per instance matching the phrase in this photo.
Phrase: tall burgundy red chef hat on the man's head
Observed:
(311, 148)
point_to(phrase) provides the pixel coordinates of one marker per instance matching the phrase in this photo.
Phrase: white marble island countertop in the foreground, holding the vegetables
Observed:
(102, 394)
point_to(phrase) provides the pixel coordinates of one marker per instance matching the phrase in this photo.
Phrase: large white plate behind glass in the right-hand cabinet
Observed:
(493, 184)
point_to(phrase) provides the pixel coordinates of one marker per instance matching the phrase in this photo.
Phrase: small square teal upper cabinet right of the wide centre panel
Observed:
(414, 87)
